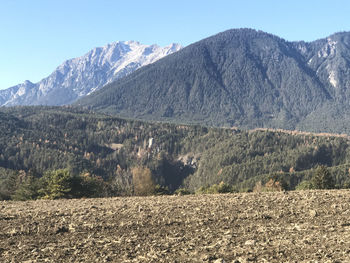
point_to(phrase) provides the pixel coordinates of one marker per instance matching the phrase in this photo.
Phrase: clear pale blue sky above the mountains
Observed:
(38, 35)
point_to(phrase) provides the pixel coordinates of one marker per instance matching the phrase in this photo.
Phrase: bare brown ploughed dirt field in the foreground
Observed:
(255, 227)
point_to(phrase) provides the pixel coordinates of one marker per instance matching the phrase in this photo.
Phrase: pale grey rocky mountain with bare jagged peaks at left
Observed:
(77, 77)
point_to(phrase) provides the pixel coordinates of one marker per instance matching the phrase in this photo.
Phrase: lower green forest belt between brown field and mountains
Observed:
(65, 152)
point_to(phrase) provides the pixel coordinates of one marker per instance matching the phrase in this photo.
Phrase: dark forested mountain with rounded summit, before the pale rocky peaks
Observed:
(240, 77)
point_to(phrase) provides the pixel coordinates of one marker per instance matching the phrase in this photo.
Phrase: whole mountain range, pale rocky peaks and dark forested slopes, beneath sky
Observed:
(240, 77)
